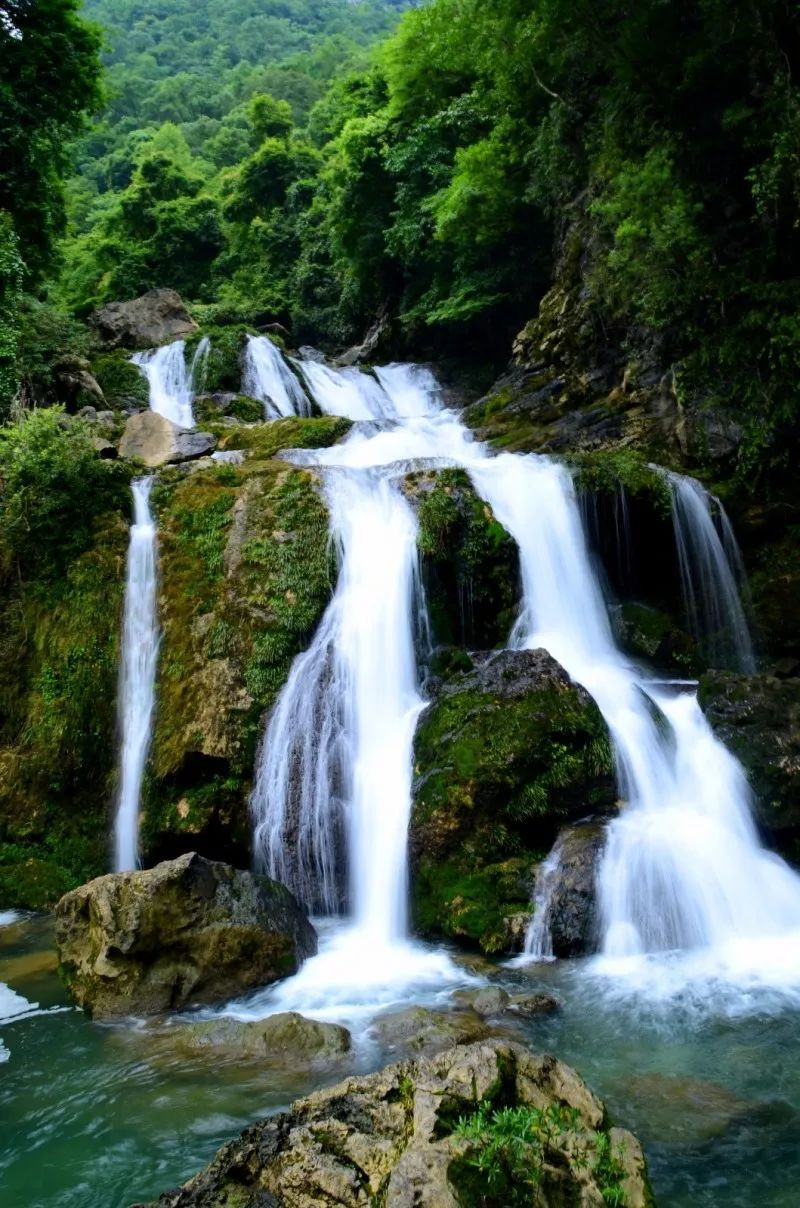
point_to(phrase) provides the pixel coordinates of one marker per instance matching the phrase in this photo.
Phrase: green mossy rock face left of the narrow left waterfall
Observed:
(59, 752)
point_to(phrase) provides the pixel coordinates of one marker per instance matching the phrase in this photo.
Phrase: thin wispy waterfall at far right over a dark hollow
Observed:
(711, 570)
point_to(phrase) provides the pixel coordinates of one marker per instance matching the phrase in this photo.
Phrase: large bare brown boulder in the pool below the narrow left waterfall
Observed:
(185, 933)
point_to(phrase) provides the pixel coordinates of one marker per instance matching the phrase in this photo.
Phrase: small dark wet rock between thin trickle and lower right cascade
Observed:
(573, 903)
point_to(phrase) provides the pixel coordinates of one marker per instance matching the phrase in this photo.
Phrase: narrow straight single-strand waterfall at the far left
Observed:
(137, 676)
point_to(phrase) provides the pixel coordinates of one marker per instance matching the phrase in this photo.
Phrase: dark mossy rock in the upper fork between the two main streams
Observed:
(471, 566)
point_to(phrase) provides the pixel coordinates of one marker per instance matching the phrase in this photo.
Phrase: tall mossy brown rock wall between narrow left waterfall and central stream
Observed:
(245, 577)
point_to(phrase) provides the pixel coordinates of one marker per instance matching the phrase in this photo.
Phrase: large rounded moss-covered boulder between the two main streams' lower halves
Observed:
(508, 751)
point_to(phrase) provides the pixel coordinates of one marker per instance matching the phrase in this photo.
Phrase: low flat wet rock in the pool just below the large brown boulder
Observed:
(287, 1038)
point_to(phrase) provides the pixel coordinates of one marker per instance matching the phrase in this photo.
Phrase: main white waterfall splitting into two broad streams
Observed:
(683, 869)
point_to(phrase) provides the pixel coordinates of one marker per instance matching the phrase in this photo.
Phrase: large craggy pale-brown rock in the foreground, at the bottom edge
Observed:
(389, 1139)
